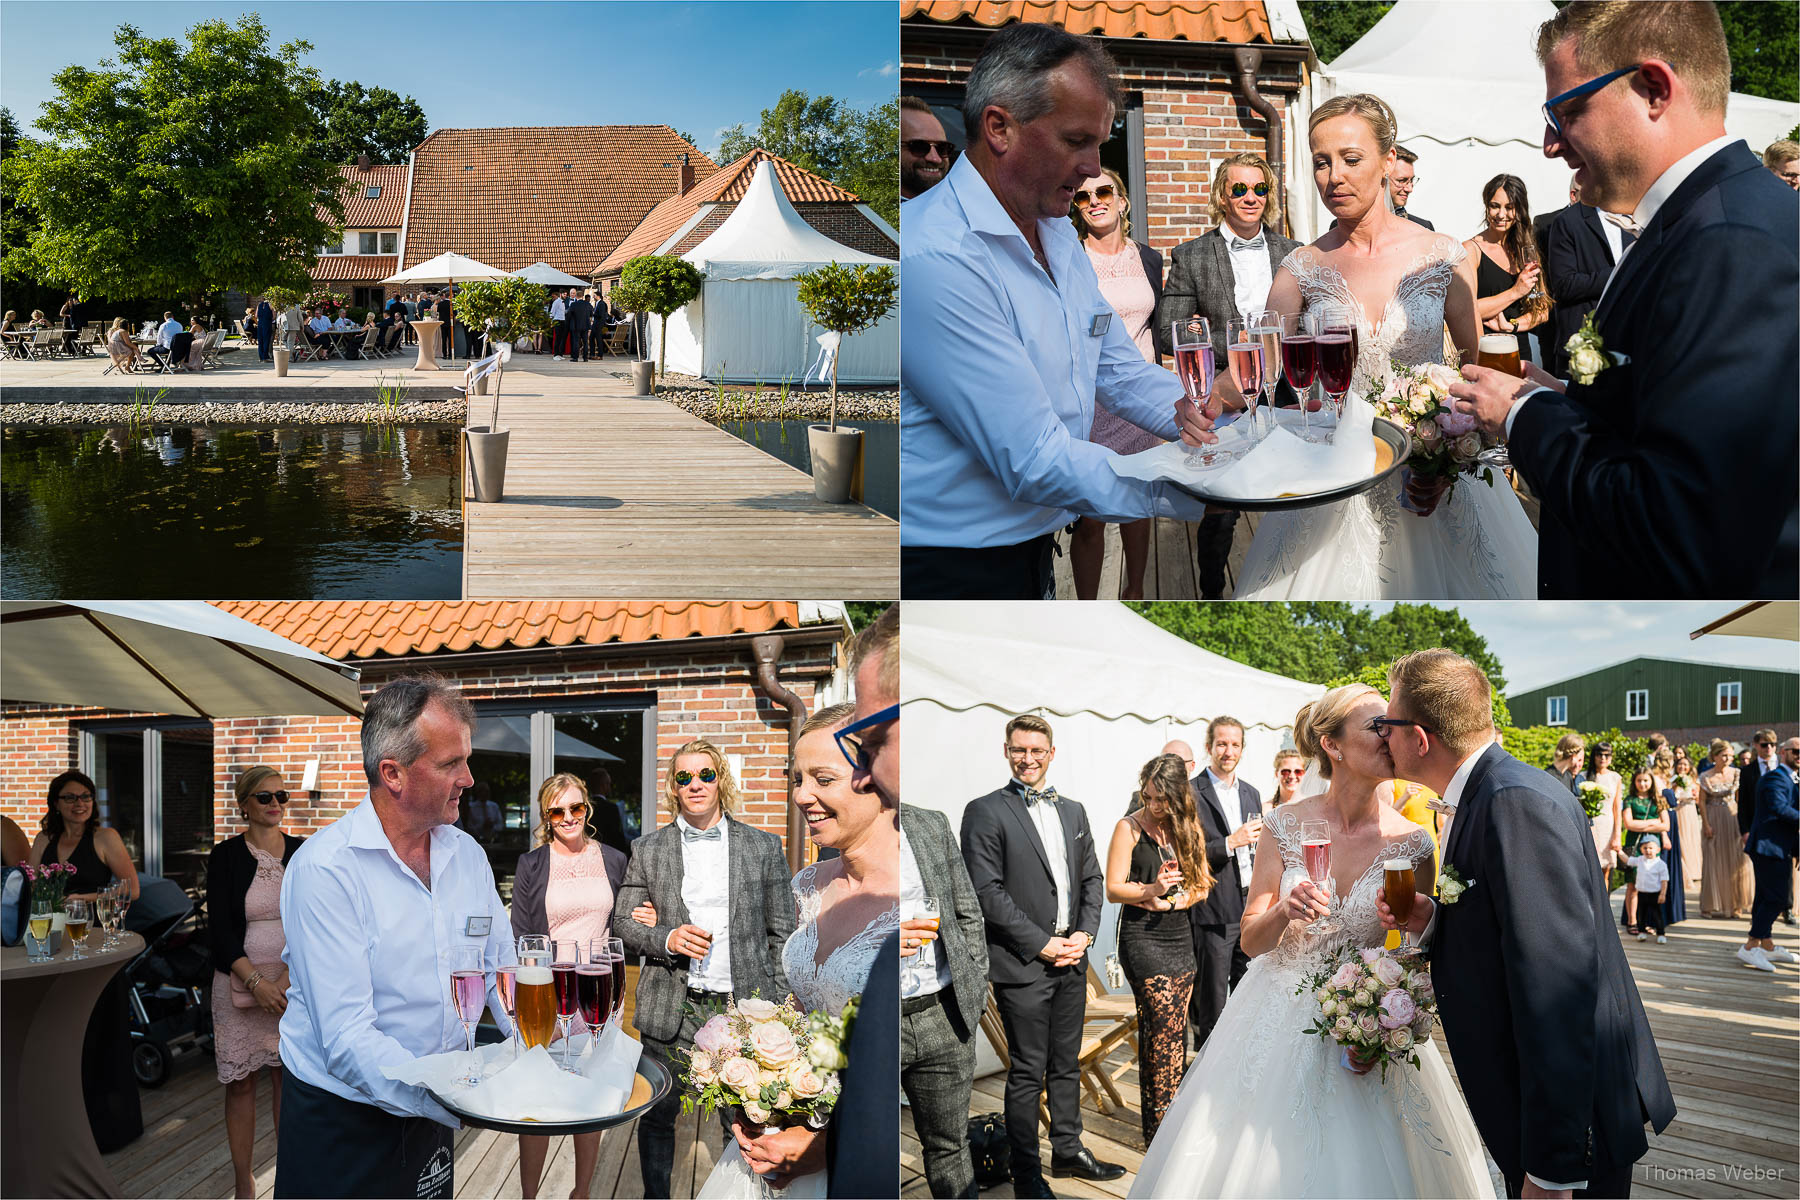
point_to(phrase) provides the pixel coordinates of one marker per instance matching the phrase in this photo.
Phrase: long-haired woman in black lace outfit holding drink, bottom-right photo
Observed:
(1156, 872)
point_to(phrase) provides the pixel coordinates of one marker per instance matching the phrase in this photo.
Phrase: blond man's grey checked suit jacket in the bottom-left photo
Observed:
(762, 918)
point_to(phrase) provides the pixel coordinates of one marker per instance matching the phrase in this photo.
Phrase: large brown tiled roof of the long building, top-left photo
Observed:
(564, 195)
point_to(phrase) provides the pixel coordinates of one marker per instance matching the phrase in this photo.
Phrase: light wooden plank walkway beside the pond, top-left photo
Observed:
(624, 497)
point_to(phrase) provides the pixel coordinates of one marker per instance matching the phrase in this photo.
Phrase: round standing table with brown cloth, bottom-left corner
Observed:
(48, 1147)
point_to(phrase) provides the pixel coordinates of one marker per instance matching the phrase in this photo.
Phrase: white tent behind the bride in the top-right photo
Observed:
(1468, 93)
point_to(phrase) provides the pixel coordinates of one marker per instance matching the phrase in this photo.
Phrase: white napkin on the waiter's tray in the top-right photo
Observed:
(1281, 465)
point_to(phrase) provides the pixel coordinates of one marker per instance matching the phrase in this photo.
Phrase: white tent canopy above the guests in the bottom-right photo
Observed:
(1113, 688)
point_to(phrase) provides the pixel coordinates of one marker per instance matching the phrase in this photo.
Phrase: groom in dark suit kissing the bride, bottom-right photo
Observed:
(1538, 1003)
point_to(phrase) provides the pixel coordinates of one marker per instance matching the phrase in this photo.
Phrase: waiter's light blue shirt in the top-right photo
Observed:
(1002, 366)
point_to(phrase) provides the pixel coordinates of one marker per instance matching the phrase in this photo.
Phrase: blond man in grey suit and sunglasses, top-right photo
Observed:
(1225, 274)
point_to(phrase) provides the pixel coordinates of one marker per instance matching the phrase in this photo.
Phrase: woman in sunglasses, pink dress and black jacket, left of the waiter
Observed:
(249, 980)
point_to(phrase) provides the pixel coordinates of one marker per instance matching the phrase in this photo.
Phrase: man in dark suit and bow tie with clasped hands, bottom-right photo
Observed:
(1032, 861)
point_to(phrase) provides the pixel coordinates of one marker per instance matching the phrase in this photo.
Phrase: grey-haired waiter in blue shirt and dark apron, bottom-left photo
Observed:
(373, 908)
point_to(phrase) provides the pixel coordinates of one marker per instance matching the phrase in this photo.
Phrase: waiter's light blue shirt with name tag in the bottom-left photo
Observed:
(370, 958)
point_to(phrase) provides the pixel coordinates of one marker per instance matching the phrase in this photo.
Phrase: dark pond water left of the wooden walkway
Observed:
(321, 512)
